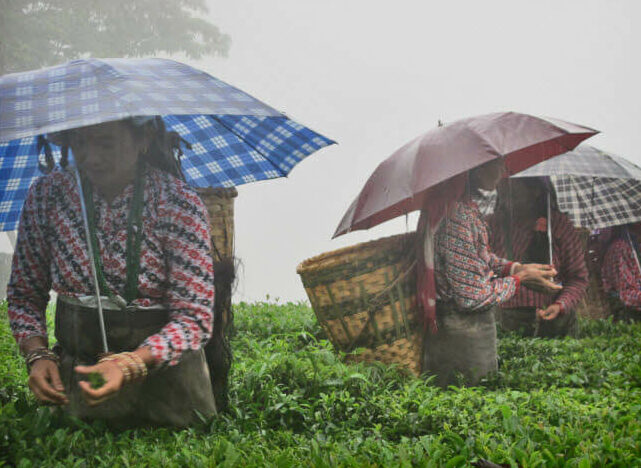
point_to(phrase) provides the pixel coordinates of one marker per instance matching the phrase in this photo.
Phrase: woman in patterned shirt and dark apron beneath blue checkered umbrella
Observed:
(150, 233)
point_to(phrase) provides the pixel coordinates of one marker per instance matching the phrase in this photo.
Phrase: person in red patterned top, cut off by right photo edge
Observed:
(621, 273)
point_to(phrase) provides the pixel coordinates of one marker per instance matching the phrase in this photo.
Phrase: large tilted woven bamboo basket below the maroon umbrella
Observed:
(364, 297)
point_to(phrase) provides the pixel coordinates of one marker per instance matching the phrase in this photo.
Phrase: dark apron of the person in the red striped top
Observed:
(523, 320)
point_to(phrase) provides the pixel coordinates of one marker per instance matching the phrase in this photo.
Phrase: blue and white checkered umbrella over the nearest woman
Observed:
(235, 138)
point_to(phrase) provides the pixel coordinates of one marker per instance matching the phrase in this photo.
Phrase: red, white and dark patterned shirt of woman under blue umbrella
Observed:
(175, 262)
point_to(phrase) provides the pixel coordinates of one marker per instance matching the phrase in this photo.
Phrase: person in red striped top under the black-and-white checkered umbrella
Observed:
(518, 232)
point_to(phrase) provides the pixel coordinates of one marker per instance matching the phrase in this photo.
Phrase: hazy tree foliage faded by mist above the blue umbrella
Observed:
(41, 33)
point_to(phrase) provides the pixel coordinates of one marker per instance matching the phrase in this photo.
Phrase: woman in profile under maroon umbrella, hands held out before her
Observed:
(470, 282)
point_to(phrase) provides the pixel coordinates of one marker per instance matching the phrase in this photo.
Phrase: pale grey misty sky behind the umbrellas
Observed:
(374, 74)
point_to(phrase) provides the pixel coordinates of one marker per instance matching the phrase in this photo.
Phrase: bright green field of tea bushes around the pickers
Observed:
(571, 402)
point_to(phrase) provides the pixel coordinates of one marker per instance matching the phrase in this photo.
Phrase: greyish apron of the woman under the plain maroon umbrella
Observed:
(464, 346)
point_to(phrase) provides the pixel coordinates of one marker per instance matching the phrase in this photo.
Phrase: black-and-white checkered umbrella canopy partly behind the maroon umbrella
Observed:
(596, 189)
